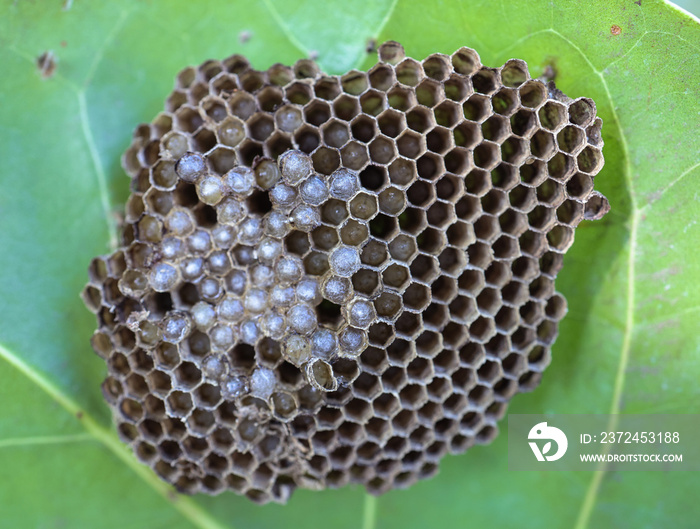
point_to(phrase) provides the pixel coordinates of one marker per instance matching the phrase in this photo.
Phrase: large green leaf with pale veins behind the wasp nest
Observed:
(629, 344)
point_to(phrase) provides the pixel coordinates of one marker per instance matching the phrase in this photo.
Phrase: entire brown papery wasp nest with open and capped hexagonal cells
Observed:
(326, 280)
